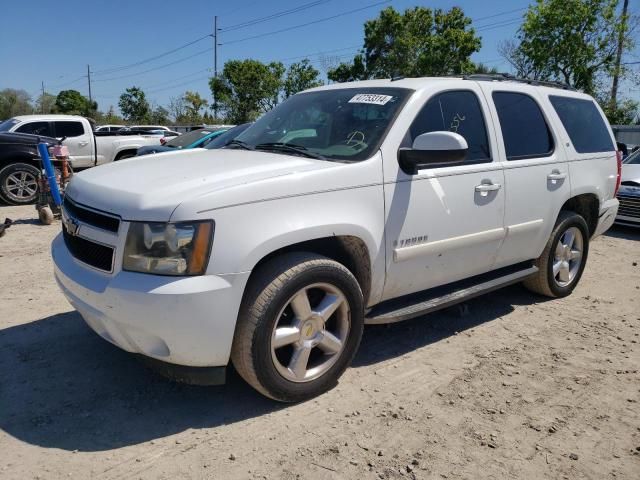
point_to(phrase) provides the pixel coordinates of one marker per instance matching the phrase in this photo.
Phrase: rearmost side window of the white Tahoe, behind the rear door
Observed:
(584, 124)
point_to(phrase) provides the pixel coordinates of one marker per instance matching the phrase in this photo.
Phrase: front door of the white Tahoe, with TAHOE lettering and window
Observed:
(445, 224)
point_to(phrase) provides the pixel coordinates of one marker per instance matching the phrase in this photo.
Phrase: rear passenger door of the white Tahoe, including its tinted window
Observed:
(535, 169)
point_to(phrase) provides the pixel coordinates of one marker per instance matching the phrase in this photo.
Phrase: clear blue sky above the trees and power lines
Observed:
(41, 40)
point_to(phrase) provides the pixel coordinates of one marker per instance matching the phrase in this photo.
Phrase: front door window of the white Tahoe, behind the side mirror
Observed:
(459, 112)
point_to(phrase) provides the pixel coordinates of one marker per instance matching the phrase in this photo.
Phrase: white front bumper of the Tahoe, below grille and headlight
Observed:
(187, 321)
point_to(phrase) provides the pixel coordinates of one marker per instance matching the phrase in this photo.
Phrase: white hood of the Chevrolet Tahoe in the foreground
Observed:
(150, 188)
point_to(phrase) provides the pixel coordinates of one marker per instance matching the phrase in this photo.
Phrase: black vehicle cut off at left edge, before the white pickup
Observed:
(19, 155)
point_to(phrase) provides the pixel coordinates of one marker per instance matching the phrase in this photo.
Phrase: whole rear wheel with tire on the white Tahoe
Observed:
(562, 283)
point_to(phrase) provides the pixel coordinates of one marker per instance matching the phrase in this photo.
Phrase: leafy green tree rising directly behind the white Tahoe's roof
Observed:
(419, 42)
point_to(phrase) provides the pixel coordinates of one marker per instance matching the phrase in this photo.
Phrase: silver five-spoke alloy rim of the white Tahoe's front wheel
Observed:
(310, 332)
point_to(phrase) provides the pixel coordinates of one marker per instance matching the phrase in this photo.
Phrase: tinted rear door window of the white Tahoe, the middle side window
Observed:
(524, 128)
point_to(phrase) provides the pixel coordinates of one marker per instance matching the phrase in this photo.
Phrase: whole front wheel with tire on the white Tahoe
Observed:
(268, 304)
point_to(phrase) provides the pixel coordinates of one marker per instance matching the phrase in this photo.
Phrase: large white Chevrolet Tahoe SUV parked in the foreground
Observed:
(366, 202)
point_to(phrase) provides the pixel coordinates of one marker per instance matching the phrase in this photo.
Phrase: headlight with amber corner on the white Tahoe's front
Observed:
(168, 248)
